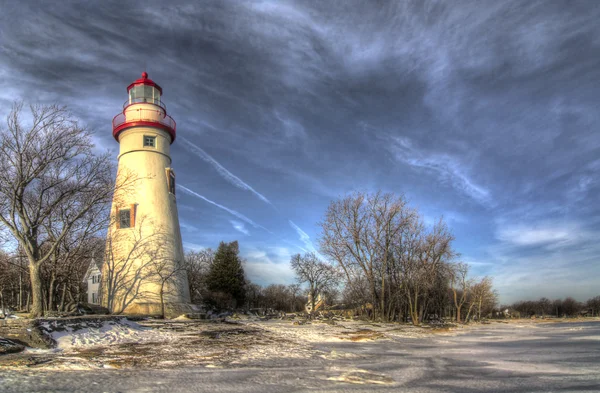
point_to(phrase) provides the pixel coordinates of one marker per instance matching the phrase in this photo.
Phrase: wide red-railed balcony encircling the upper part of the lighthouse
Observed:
(144, 114)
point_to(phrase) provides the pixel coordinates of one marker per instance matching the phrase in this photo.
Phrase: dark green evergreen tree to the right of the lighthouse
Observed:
(226, 278)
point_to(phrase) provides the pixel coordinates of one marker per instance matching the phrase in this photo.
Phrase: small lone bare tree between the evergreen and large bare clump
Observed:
(319, 275)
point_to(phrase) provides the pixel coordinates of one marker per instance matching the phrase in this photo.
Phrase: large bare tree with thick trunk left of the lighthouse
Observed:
(48, 170)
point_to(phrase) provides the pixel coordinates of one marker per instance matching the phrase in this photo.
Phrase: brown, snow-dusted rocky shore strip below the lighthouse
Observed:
(121, 343)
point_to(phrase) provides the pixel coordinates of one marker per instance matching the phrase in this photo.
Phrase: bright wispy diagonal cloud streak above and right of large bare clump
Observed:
(447, 167)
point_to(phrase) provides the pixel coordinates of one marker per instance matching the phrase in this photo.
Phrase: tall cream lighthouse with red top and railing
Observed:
(143, 265)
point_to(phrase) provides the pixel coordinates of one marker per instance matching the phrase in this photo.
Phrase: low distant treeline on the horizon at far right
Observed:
(567, 307)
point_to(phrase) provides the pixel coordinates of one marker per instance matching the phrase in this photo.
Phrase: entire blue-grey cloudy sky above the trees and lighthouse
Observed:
(484, 112)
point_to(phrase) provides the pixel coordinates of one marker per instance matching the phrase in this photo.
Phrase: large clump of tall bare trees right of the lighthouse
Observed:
(378, 240)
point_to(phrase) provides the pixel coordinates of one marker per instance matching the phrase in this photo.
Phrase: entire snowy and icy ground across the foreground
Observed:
(277, 356)
